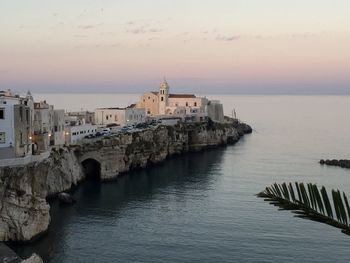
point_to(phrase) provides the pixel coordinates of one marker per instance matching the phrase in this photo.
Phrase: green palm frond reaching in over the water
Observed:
(310, 202)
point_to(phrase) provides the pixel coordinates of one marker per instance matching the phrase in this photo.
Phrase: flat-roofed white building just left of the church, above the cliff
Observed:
(120, 116)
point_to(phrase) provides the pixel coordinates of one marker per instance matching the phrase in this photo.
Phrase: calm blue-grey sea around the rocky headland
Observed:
(202, 207)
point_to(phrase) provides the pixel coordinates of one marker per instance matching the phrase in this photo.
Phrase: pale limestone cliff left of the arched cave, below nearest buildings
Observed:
(24, 212)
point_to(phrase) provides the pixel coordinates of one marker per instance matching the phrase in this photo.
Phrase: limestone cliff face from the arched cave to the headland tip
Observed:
(119, 154)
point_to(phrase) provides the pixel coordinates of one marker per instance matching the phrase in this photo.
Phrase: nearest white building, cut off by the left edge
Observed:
(15, 126)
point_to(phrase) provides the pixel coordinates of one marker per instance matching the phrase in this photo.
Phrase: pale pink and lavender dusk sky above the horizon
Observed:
(203, 46)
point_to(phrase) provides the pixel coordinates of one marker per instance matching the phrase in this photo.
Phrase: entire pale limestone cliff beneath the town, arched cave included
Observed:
(24, 211)
